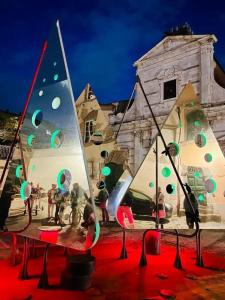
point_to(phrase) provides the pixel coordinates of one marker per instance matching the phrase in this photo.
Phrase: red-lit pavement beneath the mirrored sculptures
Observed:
(124, 279)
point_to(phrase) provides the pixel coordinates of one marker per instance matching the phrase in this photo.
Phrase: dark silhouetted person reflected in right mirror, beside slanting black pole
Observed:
(191, 216)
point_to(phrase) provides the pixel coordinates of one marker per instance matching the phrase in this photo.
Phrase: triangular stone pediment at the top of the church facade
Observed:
(172, 43)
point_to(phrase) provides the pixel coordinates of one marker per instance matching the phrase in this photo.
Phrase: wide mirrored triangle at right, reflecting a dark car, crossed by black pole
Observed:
(200, 164)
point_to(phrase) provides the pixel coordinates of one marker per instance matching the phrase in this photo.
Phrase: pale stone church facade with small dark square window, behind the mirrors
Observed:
(164, 71)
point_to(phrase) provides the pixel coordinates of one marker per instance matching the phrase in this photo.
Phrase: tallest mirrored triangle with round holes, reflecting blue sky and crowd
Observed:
(55, 183)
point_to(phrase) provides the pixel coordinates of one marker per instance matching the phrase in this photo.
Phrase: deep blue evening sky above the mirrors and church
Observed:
(102, 39)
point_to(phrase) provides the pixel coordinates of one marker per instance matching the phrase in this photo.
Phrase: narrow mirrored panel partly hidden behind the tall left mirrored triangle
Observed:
(106, 160)
